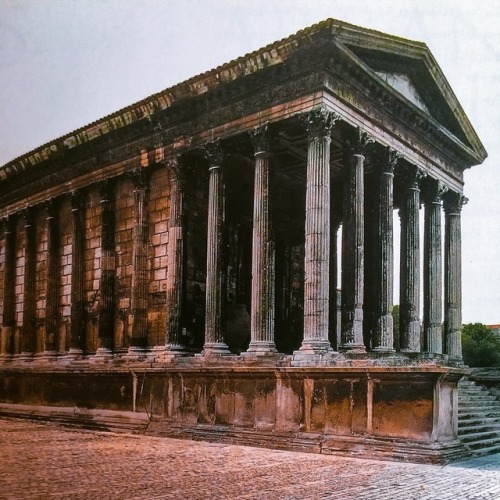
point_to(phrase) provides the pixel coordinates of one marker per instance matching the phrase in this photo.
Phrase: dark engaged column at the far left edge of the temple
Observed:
(9, 283)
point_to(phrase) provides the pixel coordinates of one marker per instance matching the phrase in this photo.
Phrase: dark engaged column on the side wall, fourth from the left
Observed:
(77, 335)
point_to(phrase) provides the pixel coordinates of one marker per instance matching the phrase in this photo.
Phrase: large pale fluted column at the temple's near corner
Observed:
(317, 238)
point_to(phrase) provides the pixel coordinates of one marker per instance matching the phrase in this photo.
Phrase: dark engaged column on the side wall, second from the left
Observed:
(29, 327)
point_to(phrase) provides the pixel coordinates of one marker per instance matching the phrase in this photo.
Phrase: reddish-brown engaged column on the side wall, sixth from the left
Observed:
(139, 292)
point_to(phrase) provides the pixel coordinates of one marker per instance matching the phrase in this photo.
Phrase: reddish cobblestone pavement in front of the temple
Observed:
(40, 461)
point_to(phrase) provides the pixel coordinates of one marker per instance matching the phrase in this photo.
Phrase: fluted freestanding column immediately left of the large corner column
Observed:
(263, 253)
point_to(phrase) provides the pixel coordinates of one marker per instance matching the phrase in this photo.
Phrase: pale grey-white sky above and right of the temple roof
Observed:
(66, 63)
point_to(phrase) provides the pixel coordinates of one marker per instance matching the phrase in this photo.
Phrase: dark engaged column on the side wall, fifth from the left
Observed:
(107, 281)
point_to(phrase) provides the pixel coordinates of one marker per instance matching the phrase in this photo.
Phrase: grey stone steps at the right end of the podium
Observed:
(478, 418)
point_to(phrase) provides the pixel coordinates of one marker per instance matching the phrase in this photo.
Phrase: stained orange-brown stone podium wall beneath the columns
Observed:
(281, 407)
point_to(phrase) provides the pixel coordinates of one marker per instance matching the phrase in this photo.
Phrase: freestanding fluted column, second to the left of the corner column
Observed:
(216, 274)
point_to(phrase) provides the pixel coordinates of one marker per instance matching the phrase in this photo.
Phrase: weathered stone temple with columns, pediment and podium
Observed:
(177, 260)
